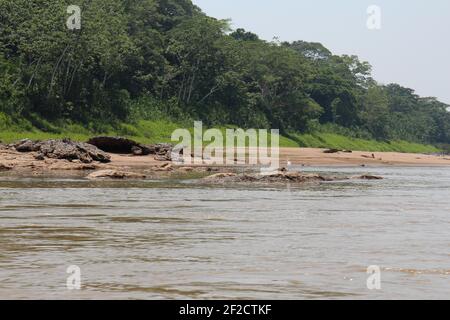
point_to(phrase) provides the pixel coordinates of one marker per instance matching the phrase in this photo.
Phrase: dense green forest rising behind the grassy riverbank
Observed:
(147, 59)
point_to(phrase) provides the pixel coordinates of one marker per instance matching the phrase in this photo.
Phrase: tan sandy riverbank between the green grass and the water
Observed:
(20, 162)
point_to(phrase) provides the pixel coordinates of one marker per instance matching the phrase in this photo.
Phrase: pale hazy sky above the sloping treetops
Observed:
(411, 49)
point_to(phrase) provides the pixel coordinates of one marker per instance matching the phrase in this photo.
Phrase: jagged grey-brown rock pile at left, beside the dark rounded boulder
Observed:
(63, 149)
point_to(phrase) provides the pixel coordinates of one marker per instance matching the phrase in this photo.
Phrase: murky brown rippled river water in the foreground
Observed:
(173, 239)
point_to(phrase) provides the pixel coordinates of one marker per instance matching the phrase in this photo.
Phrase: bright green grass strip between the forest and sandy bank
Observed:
(161, 131)
